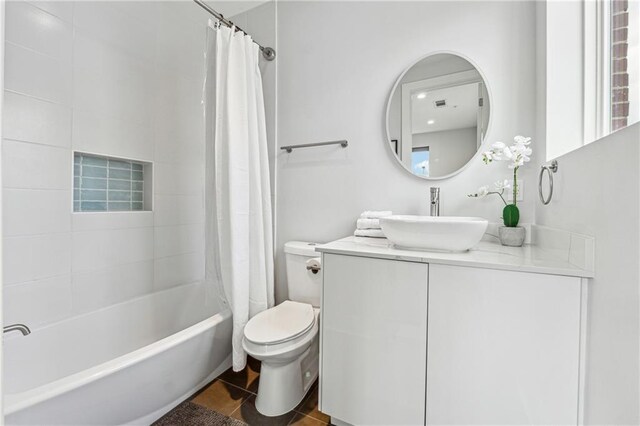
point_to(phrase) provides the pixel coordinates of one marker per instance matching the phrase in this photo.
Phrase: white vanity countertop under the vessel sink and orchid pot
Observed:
(486, 254)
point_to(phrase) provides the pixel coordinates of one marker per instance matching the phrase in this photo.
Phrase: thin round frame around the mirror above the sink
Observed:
(393, 90)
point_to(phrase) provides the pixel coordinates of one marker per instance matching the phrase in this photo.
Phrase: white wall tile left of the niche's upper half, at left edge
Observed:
(27, 165)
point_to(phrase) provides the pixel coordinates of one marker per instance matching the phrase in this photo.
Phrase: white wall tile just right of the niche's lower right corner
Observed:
(178, 209)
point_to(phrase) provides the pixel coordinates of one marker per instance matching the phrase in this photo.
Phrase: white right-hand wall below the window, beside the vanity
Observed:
(596, 193)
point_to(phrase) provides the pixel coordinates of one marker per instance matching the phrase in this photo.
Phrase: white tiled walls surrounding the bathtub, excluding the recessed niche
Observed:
(122, 79)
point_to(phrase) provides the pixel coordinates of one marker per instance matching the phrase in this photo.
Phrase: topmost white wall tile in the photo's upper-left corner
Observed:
(36, 29)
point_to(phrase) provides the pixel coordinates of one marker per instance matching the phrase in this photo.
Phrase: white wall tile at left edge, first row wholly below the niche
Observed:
(36, 257)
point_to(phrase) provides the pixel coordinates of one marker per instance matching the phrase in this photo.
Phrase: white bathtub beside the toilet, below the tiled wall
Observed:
(126, 364)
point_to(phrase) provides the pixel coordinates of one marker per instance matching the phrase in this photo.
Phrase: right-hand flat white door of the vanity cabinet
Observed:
(503, 347)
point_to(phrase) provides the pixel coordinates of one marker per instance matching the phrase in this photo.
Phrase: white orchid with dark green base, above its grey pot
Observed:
(516, 155)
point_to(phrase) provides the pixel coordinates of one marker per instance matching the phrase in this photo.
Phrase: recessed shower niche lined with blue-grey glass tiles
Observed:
(107, 184)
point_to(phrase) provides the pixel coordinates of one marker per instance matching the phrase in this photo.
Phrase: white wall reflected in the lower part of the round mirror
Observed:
(449, 150)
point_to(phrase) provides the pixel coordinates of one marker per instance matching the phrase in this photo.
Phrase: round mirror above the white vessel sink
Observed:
(437, 115)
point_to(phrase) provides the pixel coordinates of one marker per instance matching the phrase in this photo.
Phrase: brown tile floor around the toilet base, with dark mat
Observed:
(230, 400)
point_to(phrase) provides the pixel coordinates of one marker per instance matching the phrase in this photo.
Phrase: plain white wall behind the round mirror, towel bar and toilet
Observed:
(337, 64)
